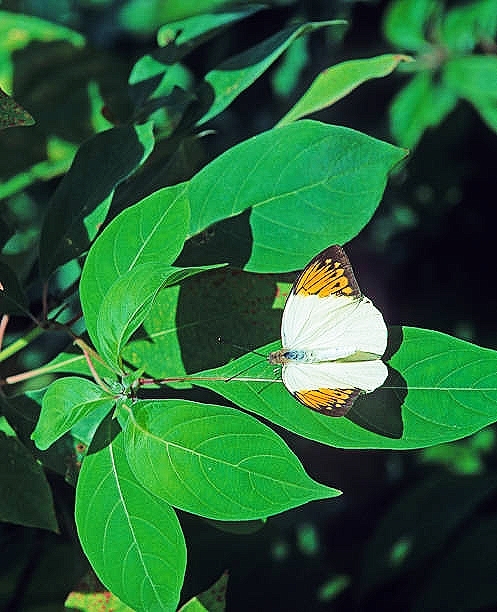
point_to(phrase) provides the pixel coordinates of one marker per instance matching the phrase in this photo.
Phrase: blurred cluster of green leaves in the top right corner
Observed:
(454, 49)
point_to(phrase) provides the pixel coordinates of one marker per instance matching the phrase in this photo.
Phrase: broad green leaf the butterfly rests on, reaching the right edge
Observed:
(440, 389)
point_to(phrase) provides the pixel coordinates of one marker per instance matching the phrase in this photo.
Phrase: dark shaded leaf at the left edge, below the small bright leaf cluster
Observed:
(24, 489)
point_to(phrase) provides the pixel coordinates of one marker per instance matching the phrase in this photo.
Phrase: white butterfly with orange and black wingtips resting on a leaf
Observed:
(333, 337)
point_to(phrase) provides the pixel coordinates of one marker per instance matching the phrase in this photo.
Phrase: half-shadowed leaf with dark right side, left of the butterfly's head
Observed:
(222, 303)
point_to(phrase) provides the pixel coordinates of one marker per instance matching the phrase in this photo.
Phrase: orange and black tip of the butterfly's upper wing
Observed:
(329, 273)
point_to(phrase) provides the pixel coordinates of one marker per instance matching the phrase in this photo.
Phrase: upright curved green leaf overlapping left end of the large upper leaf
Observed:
(153, 230)
